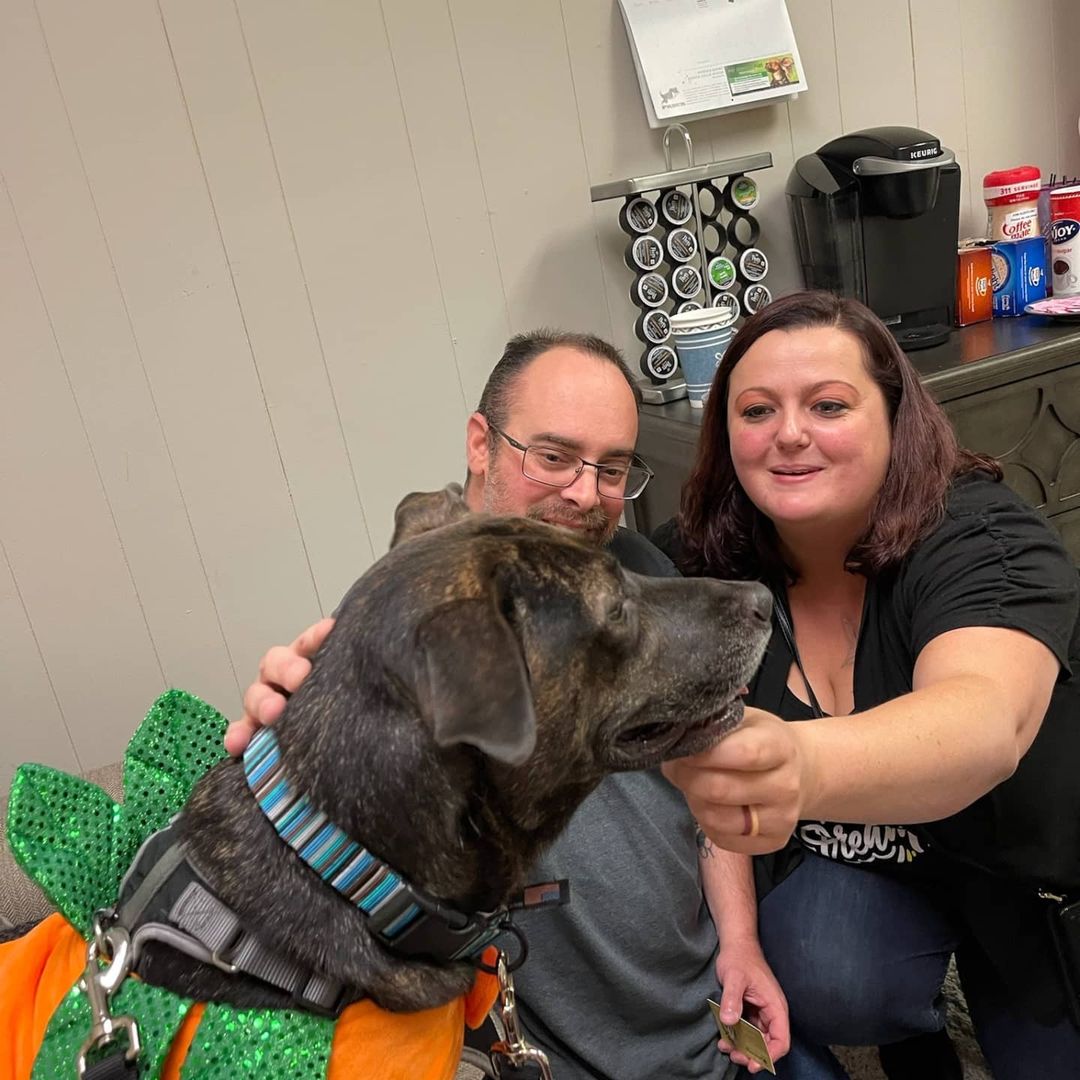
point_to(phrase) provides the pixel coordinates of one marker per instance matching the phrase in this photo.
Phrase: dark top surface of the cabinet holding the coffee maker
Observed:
(974, 358)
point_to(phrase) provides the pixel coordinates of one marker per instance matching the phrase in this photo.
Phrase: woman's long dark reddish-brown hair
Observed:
(723, 534)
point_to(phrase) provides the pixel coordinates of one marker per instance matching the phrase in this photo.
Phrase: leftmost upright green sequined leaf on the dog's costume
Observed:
(62, 831)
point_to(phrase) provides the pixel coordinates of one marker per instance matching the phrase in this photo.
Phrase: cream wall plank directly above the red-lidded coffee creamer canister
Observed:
(1009, 123)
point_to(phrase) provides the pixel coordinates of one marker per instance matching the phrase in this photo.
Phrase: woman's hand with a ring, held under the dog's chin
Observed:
(764, 766)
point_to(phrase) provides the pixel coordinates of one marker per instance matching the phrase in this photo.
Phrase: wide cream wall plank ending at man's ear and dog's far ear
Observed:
(332, 106)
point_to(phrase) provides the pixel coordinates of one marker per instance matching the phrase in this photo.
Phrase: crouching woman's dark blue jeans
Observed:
(862, 958)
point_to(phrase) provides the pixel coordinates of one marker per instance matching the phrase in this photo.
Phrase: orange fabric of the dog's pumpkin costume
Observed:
(40, 968)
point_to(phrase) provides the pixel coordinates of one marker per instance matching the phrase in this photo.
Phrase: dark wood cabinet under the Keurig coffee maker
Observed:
(1010, 387)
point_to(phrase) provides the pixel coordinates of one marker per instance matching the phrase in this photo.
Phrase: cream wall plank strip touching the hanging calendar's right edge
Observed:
(816, 116)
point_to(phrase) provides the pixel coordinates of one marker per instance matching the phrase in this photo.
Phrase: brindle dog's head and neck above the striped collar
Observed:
(488, 673)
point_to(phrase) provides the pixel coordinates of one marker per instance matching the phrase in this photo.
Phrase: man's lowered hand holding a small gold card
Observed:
(751, 991)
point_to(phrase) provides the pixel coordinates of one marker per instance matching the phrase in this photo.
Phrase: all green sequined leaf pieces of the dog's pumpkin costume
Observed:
(77, 844)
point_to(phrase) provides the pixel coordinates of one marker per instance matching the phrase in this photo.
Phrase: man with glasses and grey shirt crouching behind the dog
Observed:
(616, 983)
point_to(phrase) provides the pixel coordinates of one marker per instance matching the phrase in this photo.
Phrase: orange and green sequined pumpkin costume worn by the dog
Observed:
(77, 844)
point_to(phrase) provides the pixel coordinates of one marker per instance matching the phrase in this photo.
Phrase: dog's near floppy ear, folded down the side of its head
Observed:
(472, 682)
